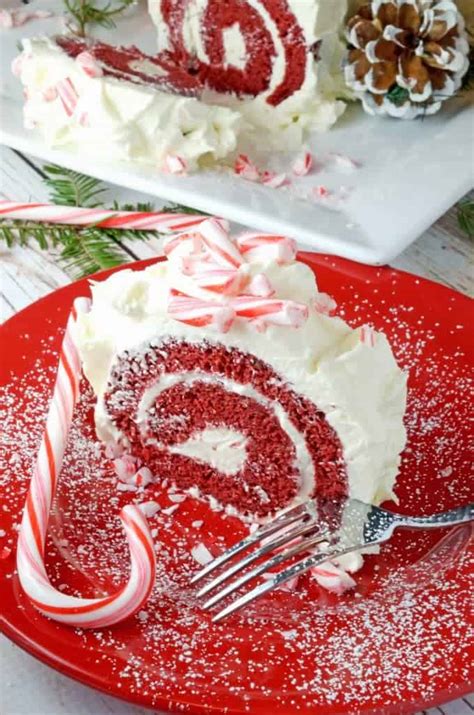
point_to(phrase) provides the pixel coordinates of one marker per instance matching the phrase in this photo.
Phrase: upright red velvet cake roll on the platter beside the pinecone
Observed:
(283, 55)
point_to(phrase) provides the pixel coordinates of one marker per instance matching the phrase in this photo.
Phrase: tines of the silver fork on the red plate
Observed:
(295, 531)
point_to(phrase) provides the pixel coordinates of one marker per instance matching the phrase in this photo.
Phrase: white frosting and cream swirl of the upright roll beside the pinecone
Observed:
(315, 105)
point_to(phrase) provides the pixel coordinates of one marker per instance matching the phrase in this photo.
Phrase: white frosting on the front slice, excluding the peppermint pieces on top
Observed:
(360, 388)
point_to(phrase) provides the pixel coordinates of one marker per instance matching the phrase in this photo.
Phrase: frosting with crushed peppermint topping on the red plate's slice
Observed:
(210, 290)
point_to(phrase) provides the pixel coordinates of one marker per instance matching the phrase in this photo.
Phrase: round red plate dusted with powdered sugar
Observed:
(395, 644)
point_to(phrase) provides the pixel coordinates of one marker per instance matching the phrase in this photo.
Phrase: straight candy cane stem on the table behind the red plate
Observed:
(103, 218)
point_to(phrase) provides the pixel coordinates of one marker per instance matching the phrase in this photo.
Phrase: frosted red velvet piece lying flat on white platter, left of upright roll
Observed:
(118, 103)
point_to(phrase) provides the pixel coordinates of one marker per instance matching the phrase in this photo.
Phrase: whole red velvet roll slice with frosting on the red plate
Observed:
(223, 371)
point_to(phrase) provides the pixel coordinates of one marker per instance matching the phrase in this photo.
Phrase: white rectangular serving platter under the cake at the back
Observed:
(410, 172)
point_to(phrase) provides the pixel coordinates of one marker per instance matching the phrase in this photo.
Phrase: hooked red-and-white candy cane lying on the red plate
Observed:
(84, 612)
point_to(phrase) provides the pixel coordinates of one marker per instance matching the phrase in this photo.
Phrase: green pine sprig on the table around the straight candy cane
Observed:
(83, 249)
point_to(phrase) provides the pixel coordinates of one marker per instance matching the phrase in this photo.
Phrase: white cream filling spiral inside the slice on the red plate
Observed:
(303, 461)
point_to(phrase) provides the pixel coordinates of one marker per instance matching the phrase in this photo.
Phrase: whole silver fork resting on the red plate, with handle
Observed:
(298, 530)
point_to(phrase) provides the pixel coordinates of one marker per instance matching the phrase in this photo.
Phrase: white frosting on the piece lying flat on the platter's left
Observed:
(118, 119)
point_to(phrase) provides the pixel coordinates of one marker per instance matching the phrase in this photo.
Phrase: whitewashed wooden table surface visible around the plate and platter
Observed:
(443, 254)
